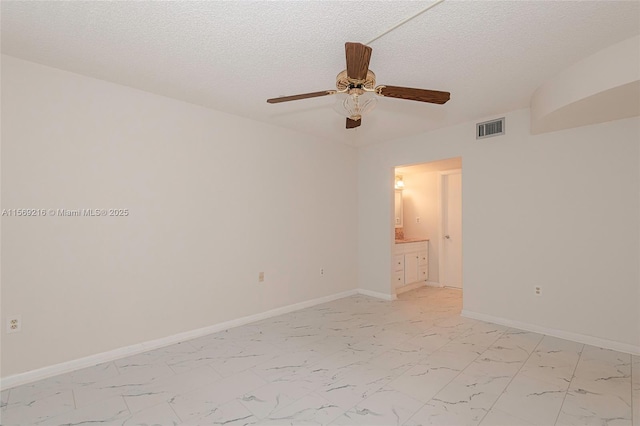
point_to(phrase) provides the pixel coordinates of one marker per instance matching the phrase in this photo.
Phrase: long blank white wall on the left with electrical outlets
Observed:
(213, 200)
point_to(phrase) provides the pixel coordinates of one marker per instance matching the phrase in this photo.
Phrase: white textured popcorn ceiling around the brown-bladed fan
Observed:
(232, 56)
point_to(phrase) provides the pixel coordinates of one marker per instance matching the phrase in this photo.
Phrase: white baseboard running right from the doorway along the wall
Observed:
(576, 337)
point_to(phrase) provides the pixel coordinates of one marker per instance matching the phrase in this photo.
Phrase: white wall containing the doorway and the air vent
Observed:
(560, 210)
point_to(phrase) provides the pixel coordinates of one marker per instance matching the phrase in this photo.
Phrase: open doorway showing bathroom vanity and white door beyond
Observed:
(431, 211)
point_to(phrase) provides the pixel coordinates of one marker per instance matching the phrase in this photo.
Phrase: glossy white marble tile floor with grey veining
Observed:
(353, 361)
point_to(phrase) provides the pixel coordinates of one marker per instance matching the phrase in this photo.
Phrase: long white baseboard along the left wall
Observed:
(89, 361)
